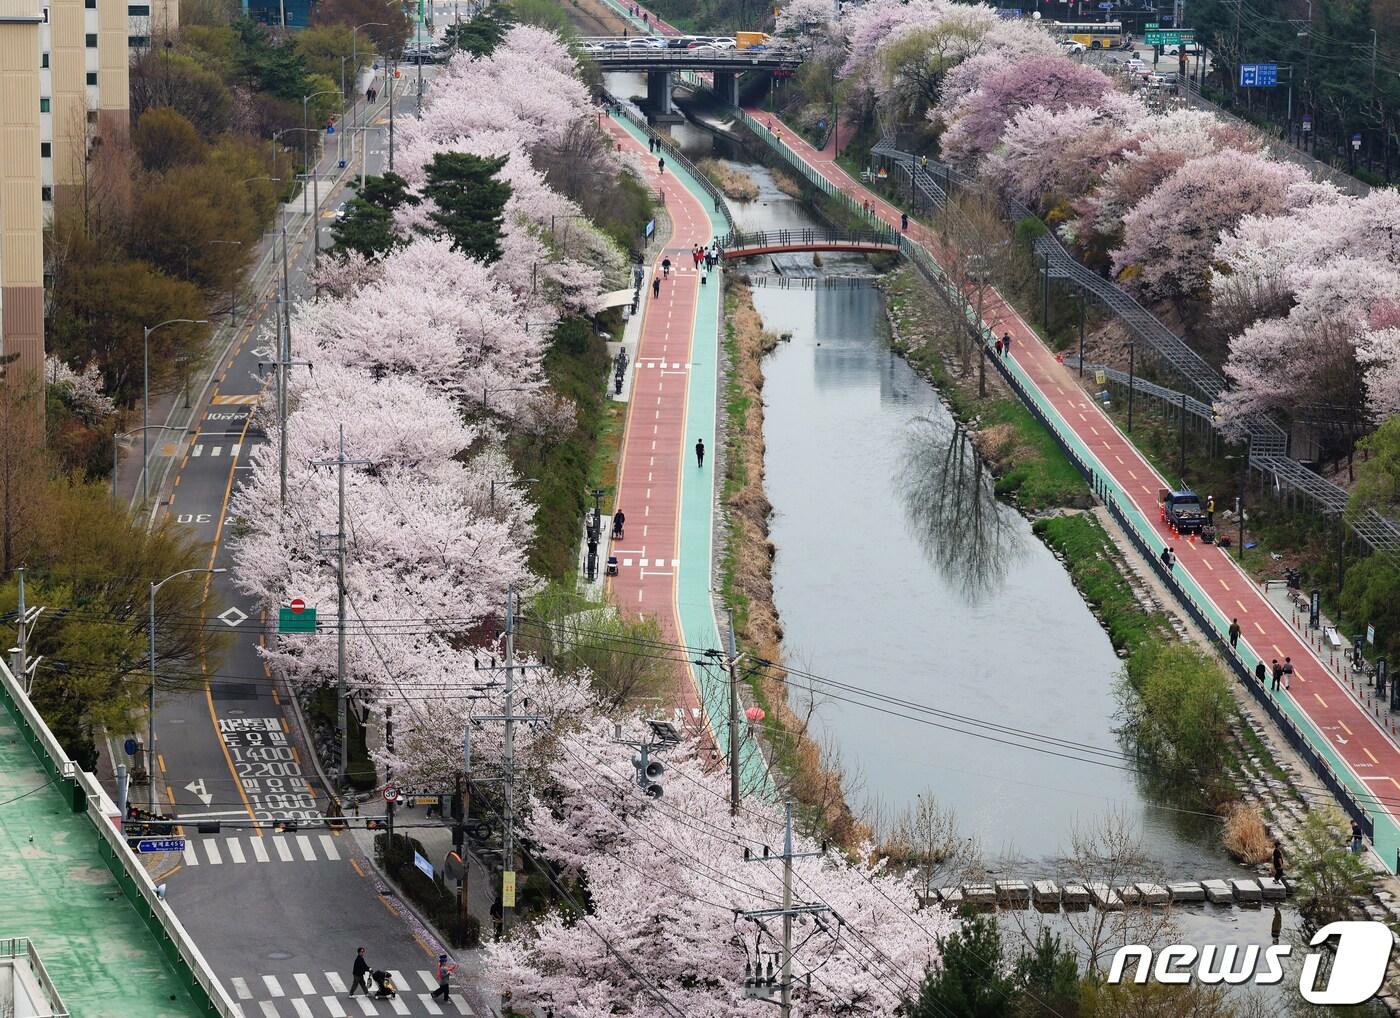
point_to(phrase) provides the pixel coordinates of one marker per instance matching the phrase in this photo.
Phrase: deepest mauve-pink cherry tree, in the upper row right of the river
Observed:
(976, 121)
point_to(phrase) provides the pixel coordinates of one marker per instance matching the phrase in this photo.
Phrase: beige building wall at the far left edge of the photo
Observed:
(22, 209)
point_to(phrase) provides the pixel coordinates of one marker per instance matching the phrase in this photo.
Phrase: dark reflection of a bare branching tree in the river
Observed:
(951, 509)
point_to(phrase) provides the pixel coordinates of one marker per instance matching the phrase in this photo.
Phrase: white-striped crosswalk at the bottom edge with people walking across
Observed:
(325, 995)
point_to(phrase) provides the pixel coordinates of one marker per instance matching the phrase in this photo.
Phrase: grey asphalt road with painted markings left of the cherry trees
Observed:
(278, 915)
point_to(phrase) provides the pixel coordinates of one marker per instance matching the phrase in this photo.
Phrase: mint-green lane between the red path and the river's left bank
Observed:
(694, 601)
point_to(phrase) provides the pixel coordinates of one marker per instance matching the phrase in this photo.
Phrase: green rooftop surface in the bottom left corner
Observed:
(57, 890)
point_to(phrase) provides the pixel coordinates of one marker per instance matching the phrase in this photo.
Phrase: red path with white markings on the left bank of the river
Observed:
(656, 446)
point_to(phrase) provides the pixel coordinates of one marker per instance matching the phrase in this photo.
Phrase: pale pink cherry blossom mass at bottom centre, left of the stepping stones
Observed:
(666, 883)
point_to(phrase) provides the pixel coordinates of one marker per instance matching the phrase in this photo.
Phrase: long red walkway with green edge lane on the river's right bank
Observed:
(1340, 729)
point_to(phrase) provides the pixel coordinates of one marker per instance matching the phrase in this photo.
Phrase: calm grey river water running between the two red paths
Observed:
(899, 572)
